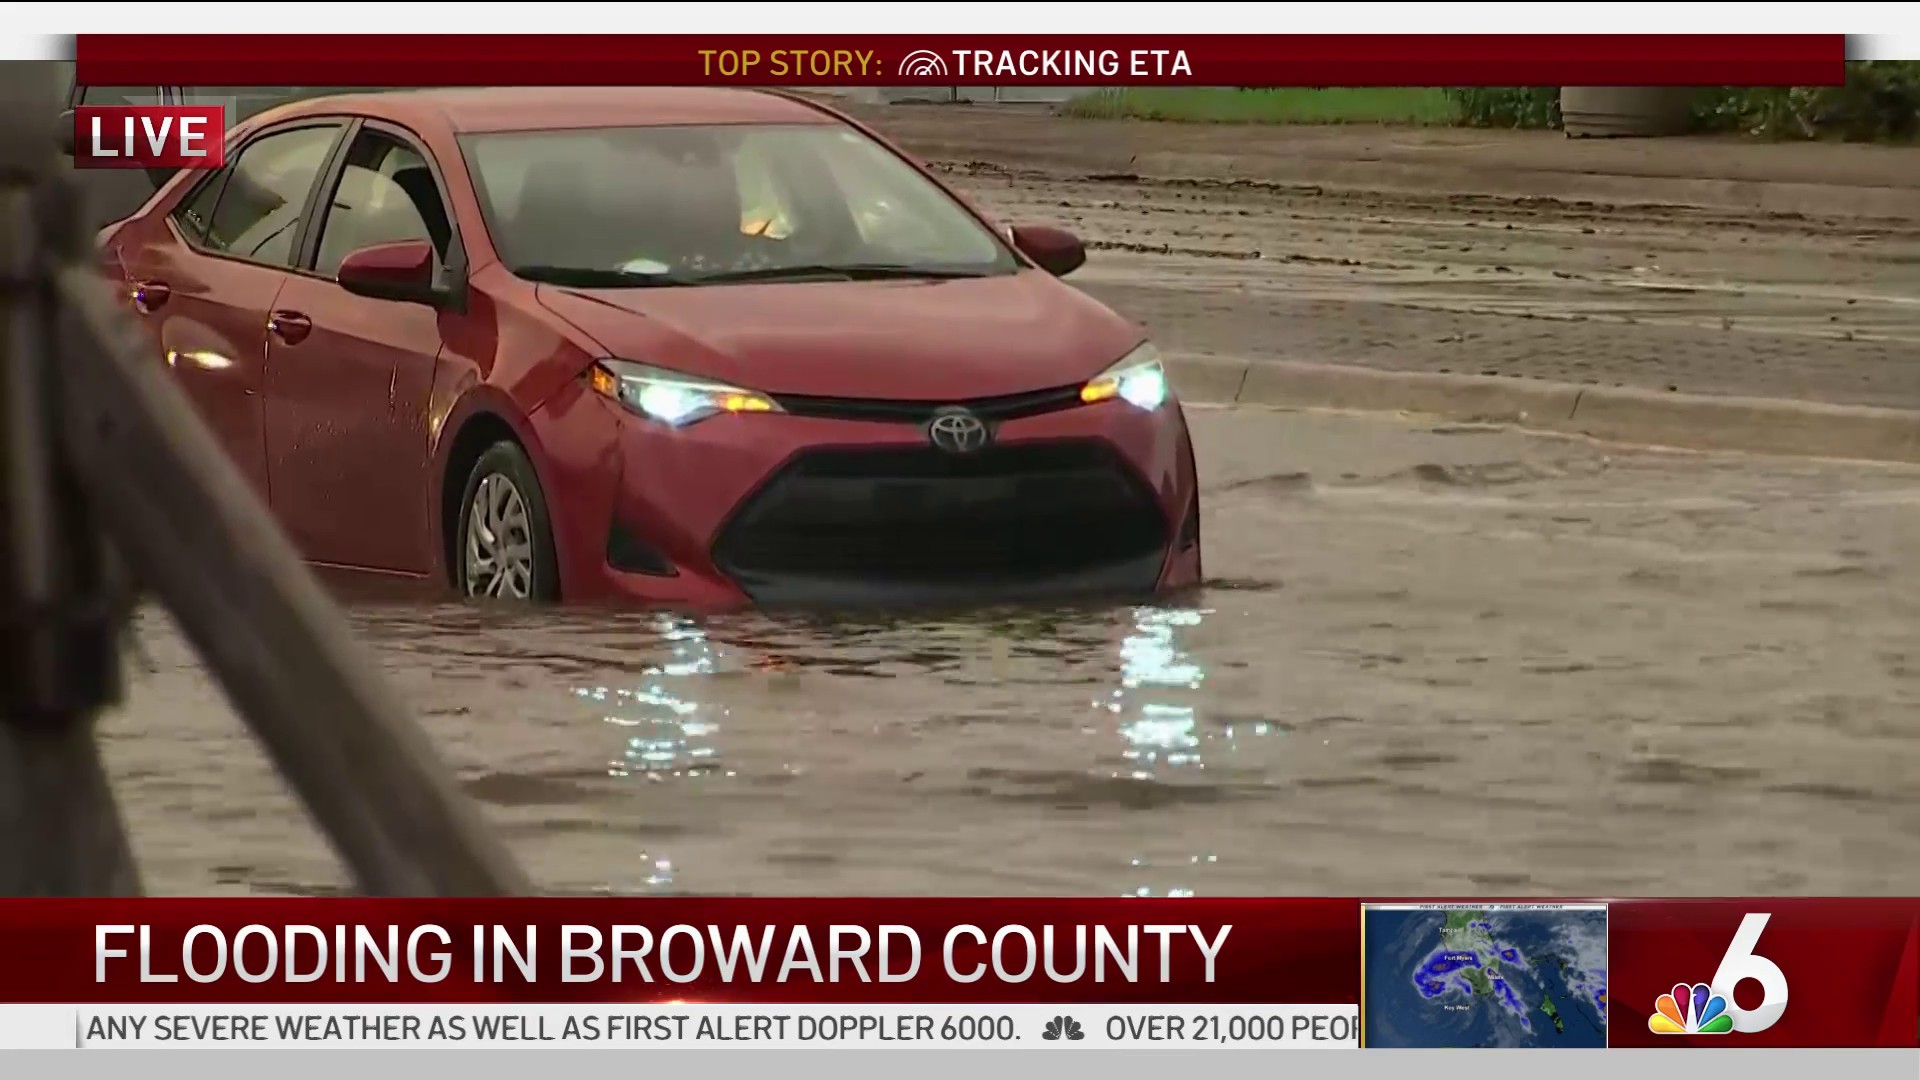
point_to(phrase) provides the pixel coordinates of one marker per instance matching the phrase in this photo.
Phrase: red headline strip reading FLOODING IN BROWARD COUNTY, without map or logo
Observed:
(948, 952)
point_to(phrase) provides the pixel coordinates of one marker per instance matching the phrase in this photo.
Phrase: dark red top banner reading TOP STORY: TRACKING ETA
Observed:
(965, 61)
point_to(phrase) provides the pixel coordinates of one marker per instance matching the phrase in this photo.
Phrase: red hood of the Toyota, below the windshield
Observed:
(915, 341)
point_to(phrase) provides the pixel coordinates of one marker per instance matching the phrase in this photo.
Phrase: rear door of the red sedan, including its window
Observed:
(204, 278)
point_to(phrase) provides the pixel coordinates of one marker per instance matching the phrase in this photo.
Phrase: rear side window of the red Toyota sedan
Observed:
(266, 191)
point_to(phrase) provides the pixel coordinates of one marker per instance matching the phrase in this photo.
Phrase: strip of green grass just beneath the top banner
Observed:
(1284, 105)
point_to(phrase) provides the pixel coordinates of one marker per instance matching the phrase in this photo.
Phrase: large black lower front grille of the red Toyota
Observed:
(1011, 516)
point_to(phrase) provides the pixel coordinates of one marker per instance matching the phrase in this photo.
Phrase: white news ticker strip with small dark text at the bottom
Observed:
(679, 1027)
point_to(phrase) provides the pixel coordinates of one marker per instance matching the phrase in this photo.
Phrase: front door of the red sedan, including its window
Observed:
(350, 378)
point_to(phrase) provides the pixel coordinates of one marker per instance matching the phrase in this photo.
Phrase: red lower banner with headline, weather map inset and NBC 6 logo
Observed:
(1648, 973)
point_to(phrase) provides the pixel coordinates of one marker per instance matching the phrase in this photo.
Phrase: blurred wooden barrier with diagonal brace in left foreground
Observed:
(108, 481)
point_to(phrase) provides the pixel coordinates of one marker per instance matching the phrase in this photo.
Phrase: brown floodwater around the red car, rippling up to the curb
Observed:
(1433, 662)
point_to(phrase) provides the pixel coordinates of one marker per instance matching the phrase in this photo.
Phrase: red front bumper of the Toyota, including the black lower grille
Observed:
(859, 510)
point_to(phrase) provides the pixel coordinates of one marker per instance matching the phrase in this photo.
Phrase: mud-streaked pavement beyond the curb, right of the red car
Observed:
(1656, 297)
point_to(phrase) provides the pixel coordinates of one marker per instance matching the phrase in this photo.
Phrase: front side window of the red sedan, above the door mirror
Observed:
(387, 195)
